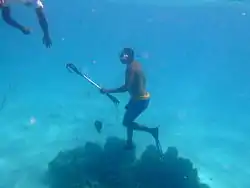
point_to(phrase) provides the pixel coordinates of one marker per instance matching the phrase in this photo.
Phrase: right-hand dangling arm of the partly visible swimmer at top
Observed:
(44, 26)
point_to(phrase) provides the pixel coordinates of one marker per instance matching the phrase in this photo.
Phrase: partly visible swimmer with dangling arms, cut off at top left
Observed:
(37, 4)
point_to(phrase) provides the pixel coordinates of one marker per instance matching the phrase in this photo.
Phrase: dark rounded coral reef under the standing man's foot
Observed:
(113, 167)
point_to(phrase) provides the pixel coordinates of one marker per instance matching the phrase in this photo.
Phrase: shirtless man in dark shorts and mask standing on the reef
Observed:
(135, 85)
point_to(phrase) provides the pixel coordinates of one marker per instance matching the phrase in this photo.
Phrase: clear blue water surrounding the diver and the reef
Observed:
(196, 58)
